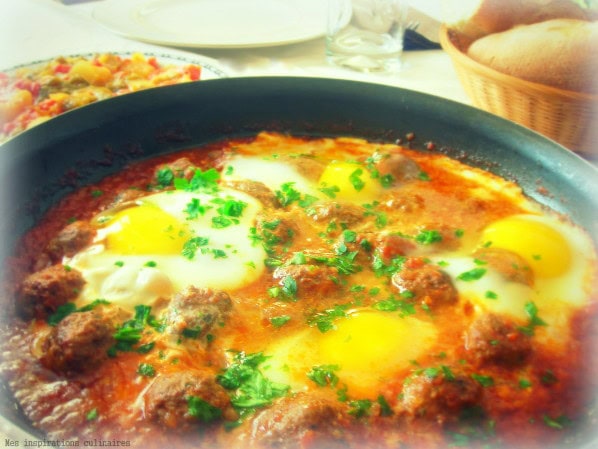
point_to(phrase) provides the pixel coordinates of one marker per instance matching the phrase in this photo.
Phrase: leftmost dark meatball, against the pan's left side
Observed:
(42, 292)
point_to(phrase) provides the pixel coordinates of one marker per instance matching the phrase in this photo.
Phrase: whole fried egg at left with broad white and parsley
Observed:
(167, 241)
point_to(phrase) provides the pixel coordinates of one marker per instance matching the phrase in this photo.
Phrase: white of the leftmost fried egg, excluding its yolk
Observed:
(126, 279)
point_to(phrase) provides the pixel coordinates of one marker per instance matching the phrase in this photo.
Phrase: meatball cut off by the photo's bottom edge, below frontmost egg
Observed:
(292, 421)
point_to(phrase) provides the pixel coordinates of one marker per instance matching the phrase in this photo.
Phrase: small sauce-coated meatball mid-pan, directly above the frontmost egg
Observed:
(310, 280)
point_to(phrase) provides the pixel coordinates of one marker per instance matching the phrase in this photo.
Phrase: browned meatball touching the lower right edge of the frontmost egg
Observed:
(439, 398)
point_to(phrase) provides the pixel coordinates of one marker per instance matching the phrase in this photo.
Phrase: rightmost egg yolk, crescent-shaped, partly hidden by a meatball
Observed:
(543, 247)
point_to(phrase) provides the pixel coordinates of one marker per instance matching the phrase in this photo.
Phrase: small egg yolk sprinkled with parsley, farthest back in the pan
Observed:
(349, 181)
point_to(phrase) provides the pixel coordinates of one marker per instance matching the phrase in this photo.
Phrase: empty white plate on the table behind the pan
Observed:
(215, 23)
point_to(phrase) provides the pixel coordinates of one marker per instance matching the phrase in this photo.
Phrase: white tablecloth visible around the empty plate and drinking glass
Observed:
(32, 30)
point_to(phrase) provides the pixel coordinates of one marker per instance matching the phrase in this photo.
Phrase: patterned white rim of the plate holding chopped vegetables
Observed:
(210, 68)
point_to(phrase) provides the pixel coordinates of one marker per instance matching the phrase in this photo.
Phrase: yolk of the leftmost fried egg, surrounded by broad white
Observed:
(145, 229)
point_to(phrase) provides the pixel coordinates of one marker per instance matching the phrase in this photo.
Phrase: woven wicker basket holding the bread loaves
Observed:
(568, 117)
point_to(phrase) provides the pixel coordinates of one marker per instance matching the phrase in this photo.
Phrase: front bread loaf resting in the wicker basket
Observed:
(562, 53)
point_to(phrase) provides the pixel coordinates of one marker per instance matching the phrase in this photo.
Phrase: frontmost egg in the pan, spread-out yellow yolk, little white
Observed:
(364, 350)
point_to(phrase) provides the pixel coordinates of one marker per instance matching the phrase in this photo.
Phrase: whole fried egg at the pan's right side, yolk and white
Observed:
(561, 258)
